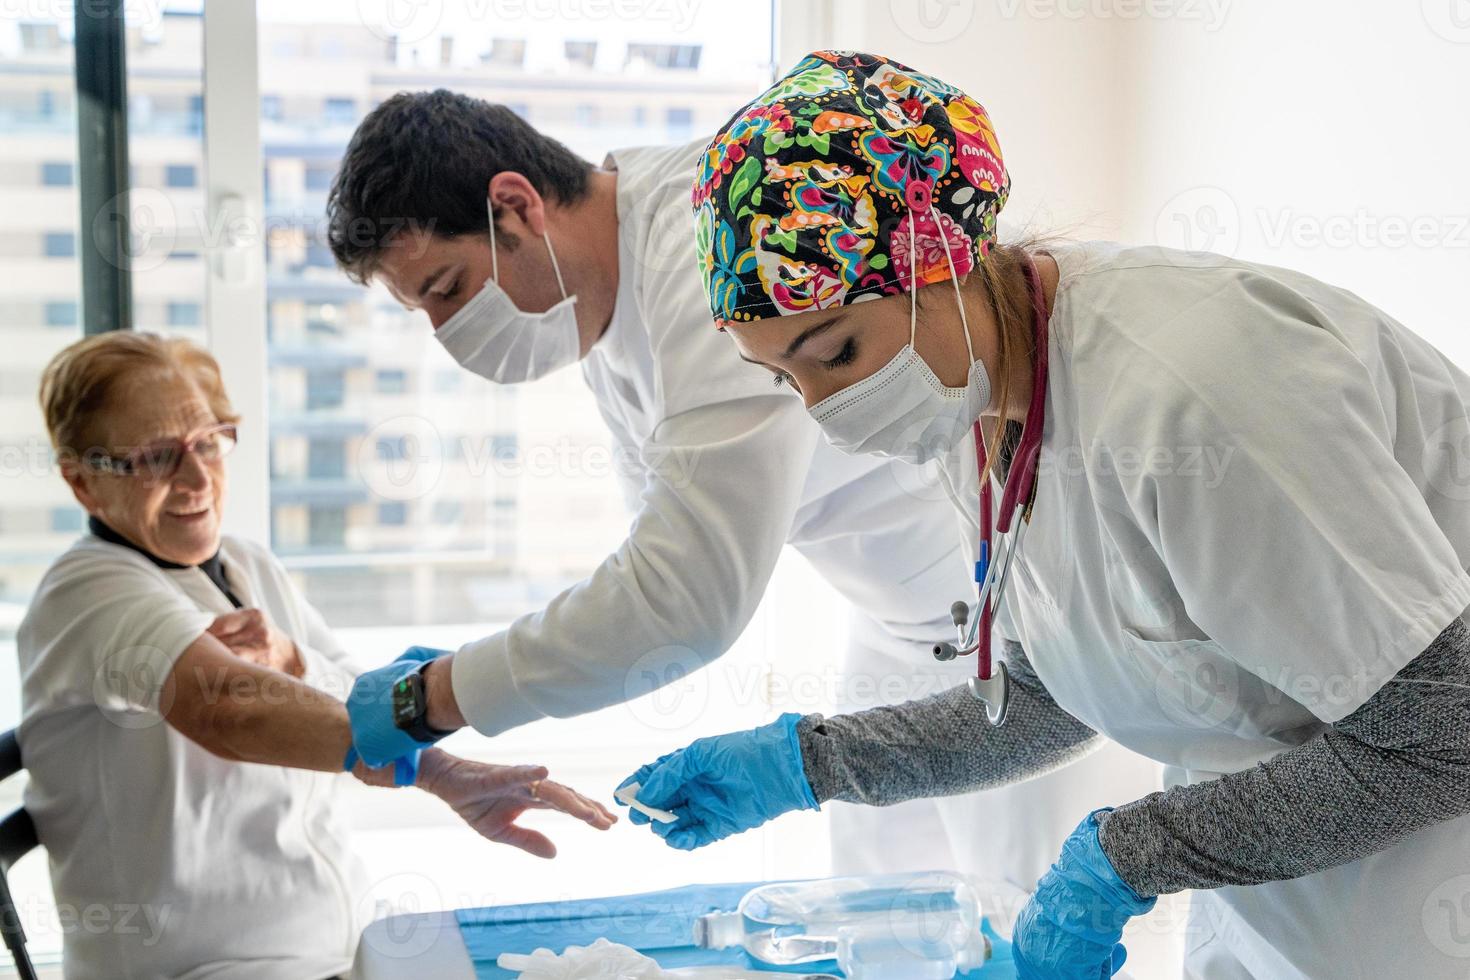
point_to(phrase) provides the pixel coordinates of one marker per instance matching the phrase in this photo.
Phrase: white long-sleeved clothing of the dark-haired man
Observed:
(706, 538)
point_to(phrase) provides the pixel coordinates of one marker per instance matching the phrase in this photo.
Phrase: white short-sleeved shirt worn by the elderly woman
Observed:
(189, 865)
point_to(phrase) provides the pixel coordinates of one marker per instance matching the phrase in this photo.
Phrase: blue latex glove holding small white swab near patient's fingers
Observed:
(724, 785)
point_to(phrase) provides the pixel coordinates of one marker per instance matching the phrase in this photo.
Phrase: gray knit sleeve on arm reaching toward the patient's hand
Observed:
(942, 746)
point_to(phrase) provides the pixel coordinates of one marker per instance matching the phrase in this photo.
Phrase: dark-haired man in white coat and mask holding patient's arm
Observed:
(595, 265)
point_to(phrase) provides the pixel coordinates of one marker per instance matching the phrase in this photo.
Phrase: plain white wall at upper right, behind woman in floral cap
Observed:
(1333, 137)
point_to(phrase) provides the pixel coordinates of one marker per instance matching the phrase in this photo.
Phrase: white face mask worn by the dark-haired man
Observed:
(490, 337)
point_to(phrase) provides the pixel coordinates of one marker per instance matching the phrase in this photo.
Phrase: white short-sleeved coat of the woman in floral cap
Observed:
(1252, 515)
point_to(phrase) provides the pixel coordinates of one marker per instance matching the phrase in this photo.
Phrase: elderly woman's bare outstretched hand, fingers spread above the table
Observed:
(490, 799)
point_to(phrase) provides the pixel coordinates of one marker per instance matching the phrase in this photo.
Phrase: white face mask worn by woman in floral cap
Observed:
(903, 411)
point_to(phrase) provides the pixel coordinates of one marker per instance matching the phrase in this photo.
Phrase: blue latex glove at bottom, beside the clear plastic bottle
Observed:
(1071, 929)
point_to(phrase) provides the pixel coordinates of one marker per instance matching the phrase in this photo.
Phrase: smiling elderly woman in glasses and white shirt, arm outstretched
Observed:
(183, 719)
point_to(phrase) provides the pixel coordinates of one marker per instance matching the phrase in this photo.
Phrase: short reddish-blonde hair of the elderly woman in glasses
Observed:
(79, 383)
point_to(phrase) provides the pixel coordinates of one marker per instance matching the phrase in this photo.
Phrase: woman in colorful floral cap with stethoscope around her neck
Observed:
(1221, 525)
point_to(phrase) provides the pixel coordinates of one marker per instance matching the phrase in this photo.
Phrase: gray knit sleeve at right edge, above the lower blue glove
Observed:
(1396, 766)
